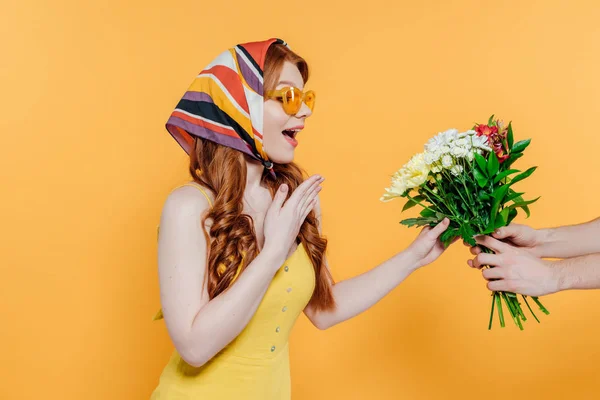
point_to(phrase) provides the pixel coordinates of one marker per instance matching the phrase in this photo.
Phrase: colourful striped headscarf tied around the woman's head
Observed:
(225, 103)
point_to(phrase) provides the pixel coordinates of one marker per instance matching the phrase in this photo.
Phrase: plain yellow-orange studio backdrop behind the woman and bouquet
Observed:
(86, 164)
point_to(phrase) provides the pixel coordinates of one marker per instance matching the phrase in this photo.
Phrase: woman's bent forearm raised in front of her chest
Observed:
(223, 318)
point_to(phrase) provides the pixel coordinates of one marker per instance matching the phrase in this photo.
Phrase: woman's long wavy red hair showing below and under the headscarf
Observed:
(223, 170)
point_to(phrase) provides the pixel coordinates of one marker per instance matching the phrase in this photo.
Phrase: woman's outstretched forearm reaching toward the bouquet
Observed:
(355, 295)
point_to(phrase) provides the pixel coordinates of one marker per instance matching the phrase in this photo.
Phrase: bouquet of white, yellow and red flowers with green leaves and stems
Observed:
(467, 178)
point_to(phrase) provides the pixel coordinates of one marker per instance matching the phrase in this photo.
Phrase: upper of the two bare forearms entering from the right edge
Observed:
(570, 241)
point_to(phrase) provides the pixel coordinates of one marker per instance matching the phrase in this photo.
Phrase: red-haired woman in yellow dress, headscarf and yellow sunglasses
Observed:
(240, 250)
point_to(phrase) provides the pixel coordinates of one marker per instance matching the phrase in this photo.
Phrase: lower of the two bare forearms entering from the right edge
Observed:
(579, 273)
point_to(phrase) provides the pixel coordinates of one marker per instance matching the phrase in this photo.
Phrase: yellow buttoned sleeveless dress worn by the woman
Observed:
(255, 365)
